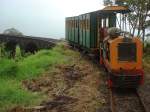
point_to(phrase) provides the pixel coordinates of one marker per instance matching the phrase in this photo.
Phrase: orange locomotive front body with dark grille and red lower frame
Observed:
(122, 58)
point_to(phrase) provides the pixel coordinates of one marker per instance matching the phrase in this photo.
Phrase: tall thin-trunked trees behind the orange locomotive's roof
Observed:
(139, 18)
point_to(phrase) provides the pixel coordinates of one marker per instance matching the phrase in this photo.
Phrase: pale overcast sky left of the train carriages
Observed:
(45, 18)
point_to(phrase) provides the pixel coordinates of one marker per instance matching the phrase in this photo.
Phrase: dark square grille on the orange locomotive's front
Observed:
(127, 52)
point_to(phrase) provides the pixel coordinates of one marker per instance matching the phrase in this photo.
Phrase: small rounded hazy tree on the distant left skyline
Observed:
(12, 31)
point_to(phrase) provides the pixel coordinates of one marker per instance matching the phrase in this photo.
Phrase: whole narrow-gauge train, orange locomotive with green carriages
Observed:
(105, 34)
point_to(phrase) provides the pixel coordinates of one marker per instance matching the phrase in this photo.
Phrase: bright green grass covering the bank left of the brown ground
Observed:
(12, 73)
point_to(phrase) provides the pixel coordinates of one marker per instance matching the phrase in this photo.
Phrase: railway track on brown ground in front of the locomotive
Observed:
(126, 101)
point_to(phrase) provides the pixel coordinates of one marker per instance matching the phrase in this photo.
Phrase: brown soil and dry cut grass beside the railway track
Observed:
(70, 88)
